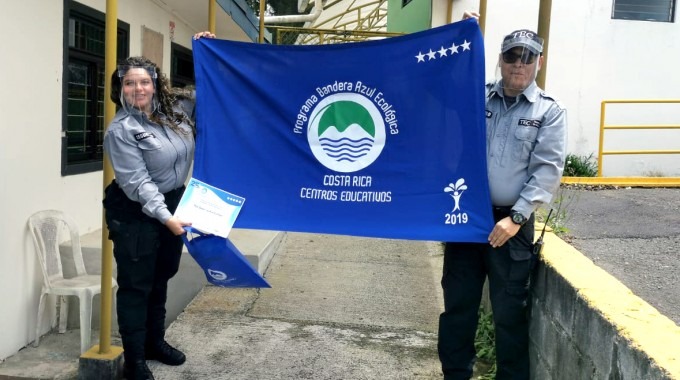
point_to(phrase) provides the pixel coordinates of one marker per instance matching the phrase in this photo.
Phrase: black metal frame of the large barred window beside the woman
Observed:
(73, 55)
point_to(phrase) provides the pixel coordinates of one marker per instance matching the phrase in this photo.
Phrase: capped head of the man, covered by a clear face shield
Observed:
(519, 61)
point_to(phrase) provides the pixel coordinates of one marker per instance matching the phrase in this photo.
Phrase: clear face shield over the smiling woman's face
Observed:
(138, 88)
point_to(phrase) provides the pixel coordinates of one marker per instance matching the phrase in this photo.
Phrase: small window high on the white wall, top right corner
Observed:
(644, 10)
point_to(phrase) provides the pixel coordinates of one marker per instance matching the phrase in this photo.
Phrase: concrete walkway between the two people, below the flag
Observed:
(339, 308)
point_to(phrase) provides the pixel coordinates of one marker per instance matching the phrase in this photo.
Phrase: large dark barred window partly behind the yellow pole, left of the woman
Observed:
(83, 93)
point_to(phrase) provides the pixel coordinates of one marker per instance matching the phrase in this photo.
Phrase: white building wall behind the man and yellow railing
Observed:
(594, 58)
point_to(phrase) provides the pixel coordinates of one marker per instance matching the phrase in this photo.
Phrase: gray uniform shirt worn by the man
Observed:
(526, 147)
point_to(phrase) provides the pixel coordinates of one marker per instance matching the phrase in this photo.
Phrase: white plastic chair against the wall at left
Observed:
(47, 227)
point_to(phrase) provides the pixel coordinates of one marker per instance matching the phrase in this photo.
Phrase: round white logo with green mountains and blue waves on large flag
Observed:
(346, 132)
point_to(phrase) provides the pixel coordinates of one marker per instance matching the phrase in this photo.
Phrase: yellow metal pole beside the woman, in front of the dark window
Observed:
(109, 111)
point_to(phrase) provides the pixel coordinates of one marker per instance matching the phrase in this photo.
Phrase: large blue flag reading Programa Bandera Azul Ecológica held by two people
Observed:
(380, 138)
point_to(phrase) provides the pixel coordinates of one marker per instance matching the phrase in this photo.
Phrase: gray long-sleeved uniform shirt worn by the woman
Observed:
(148, 159)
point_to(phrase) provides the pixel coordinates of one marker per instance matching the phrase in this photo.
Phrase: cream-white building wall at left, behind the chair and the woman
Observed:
(30, 151)
